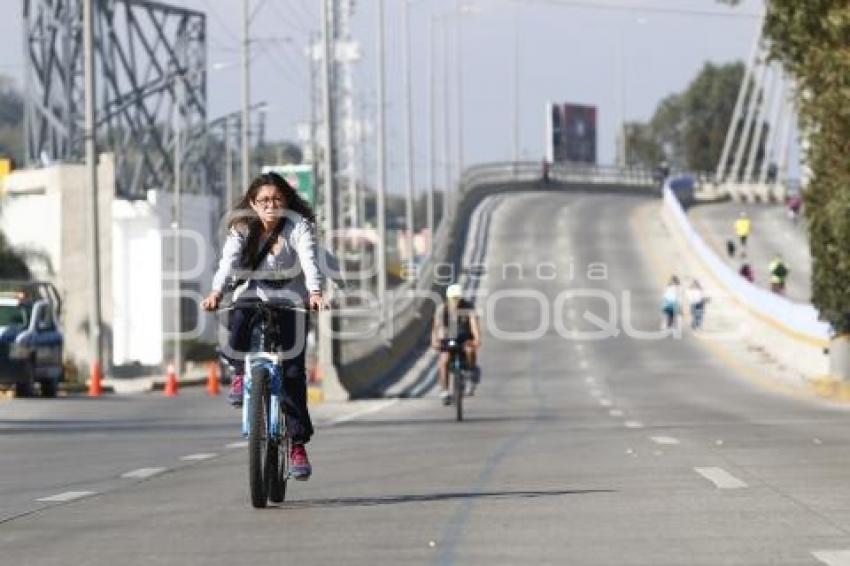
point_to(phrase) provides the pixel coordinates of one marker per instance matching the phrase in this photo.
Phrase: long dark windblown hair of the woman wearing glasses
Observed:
(245, 219)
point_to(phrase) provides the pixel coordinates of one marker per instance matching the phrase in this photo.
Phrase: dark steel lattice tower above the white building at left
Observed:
(142, 50)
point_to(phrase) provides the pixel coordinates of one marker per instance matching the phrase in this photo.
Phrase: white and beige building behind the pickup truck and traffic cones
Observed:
(43, 214)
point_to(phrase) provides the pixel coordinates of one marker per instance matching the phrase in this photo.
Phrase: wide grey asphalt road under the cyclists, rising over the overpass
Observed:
(619, 451)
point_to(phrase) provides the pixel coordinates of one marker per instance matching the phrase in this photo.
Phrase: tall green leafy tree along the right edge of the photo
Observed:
(812, 39)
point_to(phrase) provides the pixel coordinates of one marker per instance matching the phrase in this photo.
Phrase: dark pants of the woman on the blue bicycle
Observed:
(293, 335)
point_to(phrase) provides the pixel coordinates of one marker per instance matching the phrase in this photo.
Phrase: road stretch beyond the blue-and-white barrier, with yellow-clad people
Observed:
(773, 233)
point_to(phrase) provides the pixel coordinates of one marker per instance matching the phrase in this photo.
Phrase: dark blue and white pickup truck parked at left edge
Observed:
(30, 337)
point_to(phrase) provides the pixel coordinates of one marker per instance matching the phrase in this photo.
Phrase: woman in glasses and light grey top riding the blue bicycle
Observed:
(270, 242)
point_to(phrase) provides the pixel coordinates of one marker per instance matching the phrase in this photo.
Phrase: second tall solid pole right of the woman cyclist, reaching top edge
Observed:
(381, 189)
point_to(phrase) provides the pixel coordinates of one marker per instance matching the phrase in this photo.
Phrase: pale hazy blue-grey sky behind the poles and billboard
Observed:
(622, 56)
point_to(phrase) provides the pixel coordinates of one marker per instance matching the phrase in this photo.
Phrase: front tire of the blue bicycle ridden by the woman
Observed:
(258, 441)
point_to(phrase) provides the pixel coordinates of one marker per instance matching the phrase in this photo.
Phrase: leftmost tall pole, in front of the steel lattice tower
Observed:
(91, 169)
